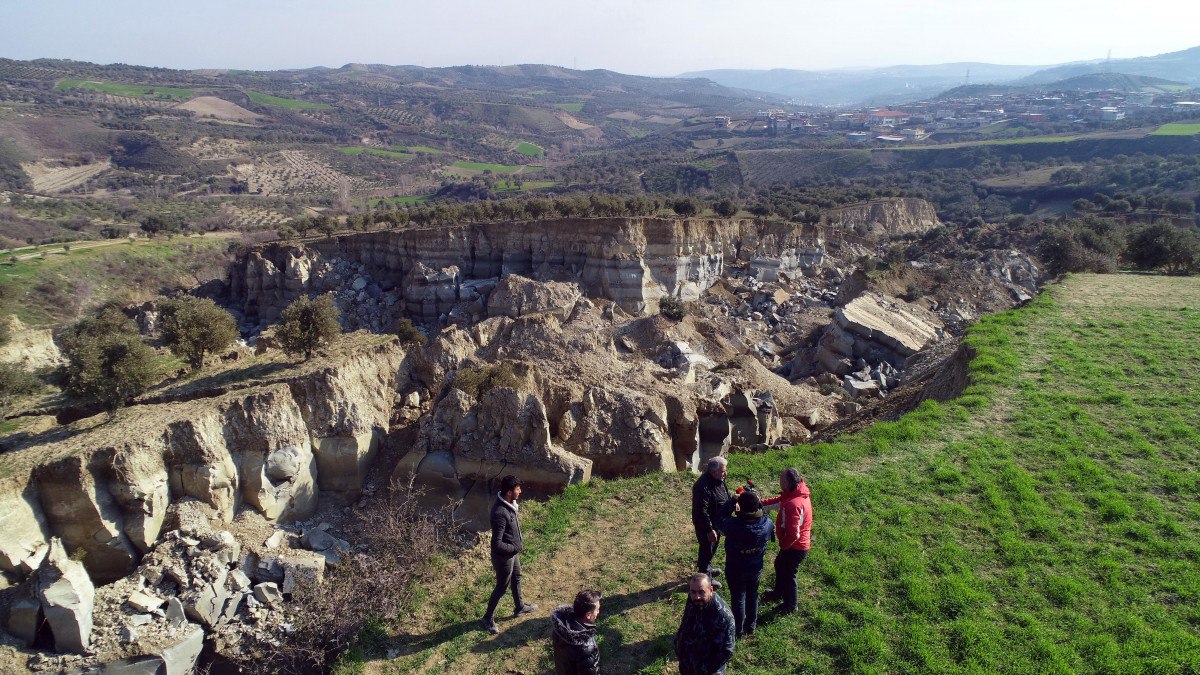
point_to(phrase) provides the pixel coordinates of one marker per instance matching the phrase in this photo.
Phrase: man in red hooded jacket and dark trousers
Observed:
(794, 528)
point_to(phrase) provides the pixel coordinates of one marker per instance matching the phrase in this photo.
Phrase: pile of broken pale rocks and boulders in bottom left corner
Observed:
(199, 586)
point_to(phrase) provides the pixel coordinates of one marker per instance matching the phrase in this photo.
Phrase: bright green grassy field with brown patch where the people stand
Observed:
(1045, 522)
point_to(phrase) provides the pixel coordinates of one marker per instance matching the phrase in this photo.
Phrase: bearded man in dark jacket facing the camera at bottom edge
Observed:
(705, 641)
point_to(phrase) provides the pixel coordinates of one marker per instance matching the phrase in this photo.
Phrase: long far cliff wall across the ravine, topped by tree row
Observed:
(431, 274)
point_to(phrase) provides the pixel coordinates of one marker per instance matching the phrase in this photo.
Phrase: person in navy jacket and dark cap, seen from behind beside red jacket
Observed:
(747, 533)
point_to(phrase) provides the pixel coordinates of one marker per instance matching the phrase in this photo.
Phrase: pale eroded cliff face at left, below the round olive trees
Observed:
(273, 447)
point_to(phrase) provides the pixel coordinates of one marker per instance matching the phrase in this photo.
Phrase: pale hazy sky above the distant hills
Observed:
(635, 37)
